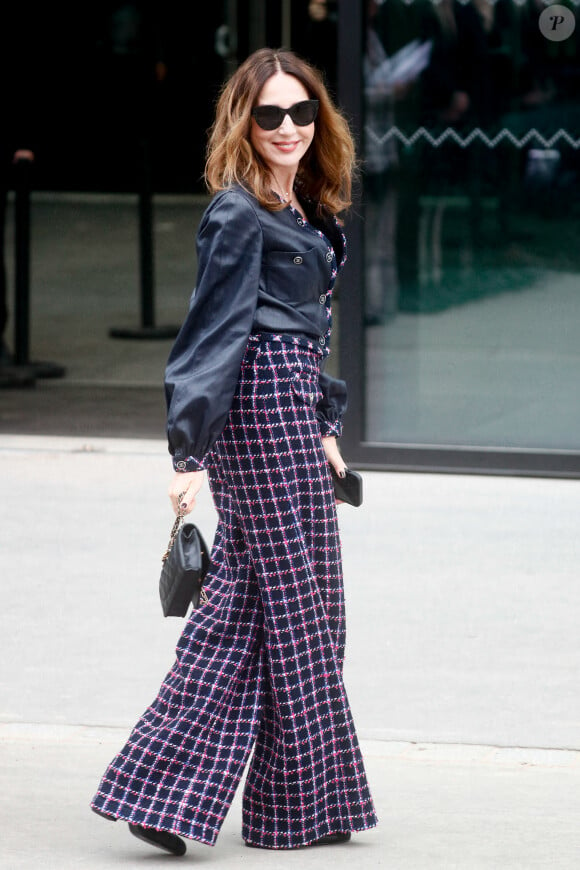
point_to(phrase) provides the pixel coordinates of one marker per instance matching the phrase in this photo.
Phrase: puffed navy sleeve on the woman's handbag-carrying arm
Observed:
(204, 365)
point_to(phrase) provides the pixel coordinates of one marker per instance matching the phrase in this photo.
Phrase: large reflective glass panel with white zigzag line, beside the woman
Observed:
(472, 225)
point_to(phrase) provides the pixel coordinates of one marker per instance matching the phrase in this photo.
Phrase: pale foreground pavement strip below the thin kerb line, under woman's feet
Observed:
(440, 807)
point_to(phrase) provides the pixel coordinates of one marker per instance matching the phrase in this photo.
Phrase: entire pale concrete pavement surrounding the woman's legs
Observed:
(462, 662)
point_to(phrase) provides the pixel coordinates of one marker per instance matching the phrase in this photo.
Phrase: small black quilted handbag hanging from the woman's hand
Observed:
(185, 564)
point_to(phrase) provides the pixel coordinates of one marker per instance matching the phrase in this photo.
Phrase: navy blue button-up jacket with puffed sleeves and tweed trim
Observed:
(258, 272)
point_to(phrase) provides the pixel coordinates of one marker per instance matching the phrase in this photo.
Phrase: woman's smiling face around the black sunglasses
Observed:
(282, 149)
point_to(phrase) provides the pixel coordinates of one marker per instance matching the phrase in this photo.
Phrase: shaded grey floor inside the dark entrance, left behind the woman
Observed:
(85, 282)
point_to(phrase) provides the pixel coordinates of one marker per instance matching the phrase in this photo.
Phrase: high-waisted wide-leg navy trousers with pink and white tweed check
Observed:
(260, 666)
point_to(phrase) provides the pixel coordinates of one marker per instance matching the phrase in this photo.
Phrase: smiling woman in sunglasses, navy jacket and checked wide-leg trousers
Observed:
(260, 666)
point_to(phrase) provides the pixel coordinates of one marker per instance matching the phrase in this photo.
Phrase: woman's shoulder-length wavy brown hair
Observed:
(325, 172)
